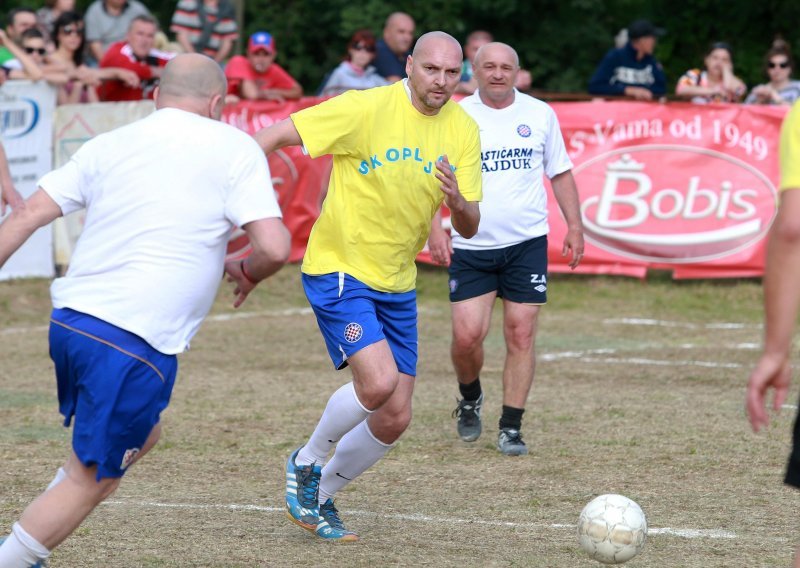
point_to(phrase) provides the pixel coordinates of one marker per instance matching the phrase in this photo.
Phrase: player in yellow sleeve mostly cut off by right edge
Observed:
(781, 299)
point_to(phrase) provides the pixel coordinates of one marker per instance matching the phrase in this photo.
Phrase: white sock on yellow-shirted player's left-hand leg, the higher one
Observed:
(343, 412)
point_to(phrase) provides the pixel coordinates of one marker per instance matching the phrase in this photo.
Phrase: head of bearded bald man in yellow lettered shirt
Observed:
(433, 74)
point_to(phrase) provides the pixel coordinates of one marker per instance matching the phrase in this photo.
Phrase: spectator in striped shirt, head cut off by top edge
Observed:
(206, 26)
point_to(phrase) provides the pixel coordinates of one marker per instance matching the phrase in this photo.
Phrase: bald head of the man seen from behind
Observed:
(189, 82)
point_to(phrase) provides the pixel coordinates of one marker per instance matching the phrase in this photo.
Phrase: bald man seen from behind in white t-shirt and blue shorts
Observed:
(162, 196)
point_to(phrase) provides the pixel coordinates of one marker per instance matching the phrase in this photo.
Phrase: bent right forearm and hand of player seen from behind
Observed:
(271, 244)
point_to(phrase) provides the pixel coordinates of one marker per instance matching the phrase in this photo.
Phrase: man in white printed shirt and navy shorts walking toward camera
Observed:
(520, 142)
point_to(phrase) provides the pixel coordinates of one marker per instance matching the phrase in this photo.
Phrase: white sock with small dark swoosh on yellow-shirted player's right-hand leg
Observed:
(358, 450)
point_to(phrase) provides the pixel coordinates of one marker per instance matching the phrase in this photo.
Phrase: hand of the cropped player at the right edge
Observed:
(772, 371)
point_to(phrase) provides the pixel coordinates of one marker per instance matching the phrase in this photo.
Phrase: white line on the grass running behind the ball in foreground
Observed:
(683, 533)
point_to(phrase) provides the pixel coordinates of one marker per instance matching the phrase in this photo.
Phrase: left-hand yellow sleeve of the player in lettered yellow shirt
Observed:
(333, 126)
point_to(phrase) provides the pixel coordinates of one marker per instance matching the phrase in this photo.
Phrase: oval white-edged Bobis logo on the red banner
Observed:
(673, 204)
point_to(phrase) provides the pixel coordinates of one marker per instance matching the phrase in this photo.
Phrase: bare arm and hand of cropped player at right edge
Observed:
(781, 302)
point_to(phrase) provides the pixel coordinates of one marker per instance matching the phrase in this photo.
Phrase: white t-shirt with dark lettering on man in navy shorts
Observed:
(519, 144)
